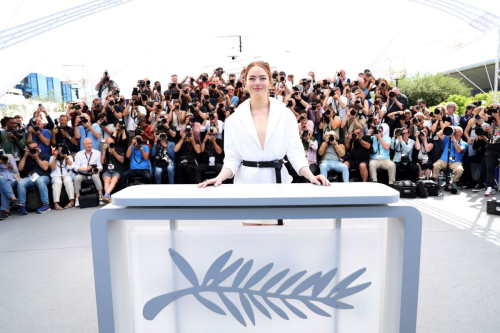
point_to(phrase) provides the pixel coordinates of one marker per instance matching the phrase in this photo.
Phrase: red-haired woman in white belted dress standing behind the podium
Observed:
(262, 130)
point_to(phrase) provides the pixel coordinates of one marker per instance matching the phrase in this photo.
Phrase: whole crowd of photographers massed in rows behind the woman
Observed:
(351, 129)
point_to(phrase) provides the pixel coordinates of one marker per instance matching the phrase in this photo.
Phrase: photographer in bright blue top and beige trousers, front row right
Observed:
(457, 151)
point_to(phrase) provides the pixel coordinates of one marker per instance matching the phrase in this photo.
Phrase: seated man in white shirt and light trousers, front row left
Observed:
(88, 165)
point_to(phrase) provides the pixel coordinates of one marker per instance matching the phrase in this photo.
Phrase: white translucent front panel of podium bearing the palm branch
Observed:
(256, 281)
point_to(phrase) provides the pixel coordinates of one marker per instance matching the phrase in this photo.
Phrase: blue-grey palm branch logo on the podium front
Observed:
(216, 275)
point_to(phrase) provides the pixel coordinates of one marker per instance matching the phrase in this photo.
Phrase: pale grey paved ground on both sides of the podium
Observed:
(46, 275)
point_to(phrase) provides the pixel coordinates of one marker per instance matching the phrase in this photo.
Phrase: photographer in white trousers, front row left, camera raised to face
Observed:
(61, 164)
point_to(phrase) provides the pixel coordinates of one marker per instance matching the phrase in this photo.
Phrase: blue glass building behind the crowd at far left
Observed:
(40, 86)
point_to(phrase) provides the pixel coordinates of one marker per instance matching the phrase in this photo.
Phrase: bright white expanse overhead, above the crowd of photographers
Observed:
(154, 39)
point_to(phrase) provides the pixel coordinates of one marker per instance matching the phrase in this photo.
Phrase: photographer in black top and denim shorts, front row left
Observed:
(113, 161)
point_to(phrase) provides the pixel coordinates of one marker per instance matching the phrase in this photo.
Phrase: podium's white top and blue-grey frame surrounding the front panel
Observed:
(109, 227)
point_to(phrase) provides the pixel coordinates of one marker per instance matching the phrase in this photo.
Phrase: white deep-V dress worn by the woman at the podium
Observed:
(242, 143)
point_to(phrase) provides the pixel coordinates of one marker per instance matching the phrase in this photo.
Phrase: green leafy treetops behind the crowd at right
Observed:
(433, 88)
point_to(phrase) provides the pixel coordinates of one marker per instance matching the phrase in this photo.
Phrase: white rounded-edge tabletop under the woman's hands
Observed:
(339, 194)
